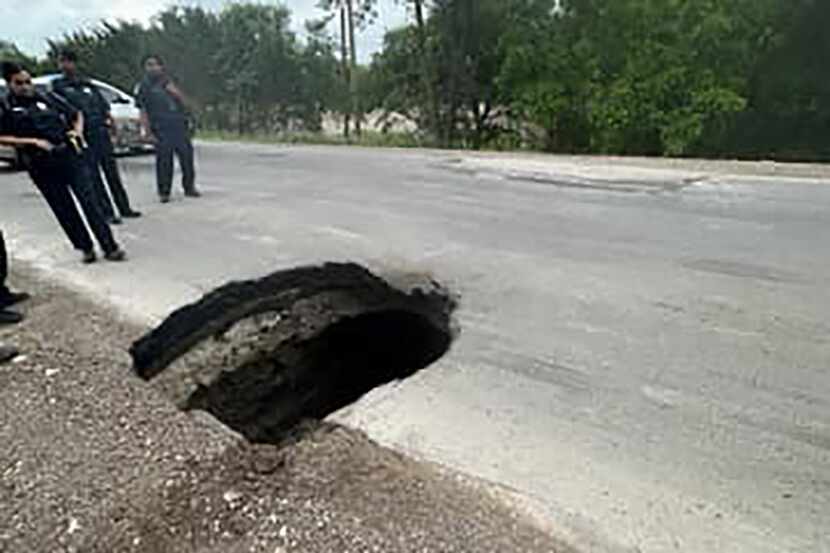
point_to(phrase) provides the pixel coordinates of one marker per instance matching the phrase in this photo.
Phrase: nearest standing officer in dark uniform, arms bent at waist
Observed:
(49, 133)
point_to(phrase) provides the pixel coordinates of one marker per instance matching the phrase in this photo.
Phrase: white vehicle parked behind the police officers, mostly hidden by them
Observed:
(124, 112)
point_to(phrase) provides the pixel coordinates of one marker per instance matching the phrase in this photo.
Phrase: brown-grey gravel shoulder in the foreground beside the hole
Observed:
(95, 460)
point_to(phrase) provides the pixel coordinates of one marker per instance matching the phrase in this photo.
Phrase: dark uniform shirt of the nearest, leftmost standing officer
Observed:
(46, 117)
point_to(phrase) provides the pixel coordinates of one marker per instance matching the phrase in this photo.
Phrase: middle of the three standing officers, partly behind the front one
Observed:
(84, 96)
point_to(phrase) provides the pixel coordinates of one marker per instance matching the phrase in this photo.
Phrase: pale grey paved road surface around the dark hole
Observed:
(645, 357)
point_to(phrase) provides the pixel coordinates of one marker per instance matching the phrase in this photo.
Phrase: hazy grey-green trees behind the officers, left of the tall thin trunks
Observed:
(243, 67)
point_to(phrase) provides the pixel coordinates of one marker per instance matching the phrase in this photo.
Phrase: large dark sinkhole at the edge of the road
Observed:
(262, 356)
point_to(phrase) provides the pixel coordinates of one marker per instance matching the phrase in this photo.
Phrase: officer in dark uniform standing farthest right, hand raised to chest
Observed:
(164, 120)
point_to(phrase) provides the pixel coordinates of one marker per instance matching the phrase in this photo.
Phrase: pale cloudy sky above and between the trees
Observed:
(29, 23)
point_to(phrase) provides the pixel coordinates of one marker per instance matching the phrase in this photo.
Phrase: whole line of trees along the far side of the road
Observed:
(656, 77)
